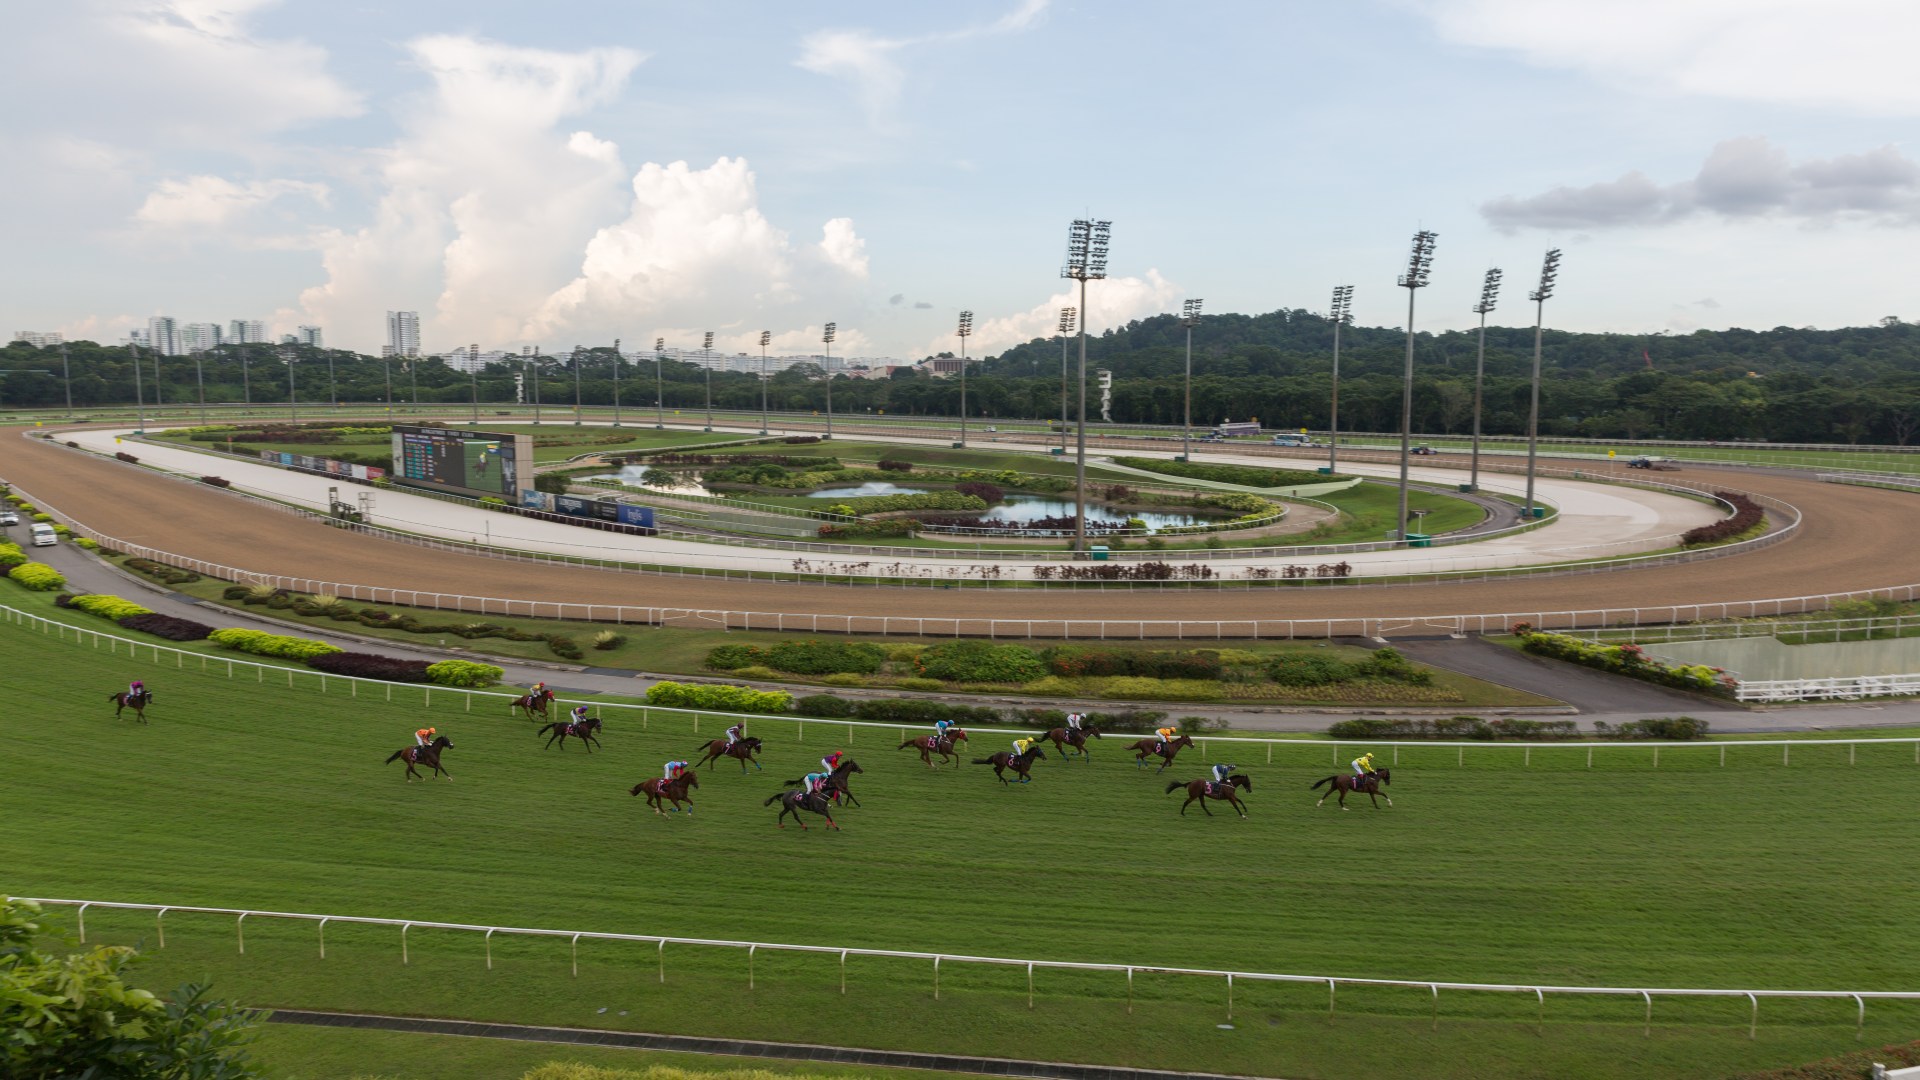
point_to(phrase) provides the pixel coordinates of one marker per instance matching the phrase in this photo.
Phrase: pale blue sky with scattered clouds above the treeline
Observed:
(577, 172)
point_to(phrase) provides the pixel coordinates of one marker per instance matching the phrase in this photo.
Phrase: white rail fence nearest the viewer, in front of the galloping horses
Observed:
(1230, 977)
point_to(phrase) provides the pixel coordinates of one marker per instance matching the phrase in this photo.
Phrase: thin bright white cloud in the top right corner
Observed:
(1848, 55)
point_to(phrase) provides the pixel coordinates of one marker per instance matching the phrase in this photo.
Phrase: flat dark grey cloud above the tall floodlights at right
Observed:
(1740, 180)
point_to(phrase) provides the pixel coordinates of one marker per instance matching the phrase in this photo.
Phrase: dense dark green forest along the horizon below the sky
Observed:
(1783, 385)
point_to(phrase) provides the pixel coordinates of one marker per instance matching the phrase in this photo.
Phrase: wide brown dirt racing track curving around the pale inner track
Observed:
(1850, 541)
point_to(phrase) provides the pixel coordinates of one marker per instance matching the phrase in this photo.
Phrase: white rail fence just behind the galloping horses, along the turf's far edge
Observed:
(646, 714)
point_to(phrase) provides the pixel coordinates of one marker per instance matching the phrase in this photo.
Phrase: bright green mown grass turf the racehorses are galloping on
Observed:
(1692, 875)
